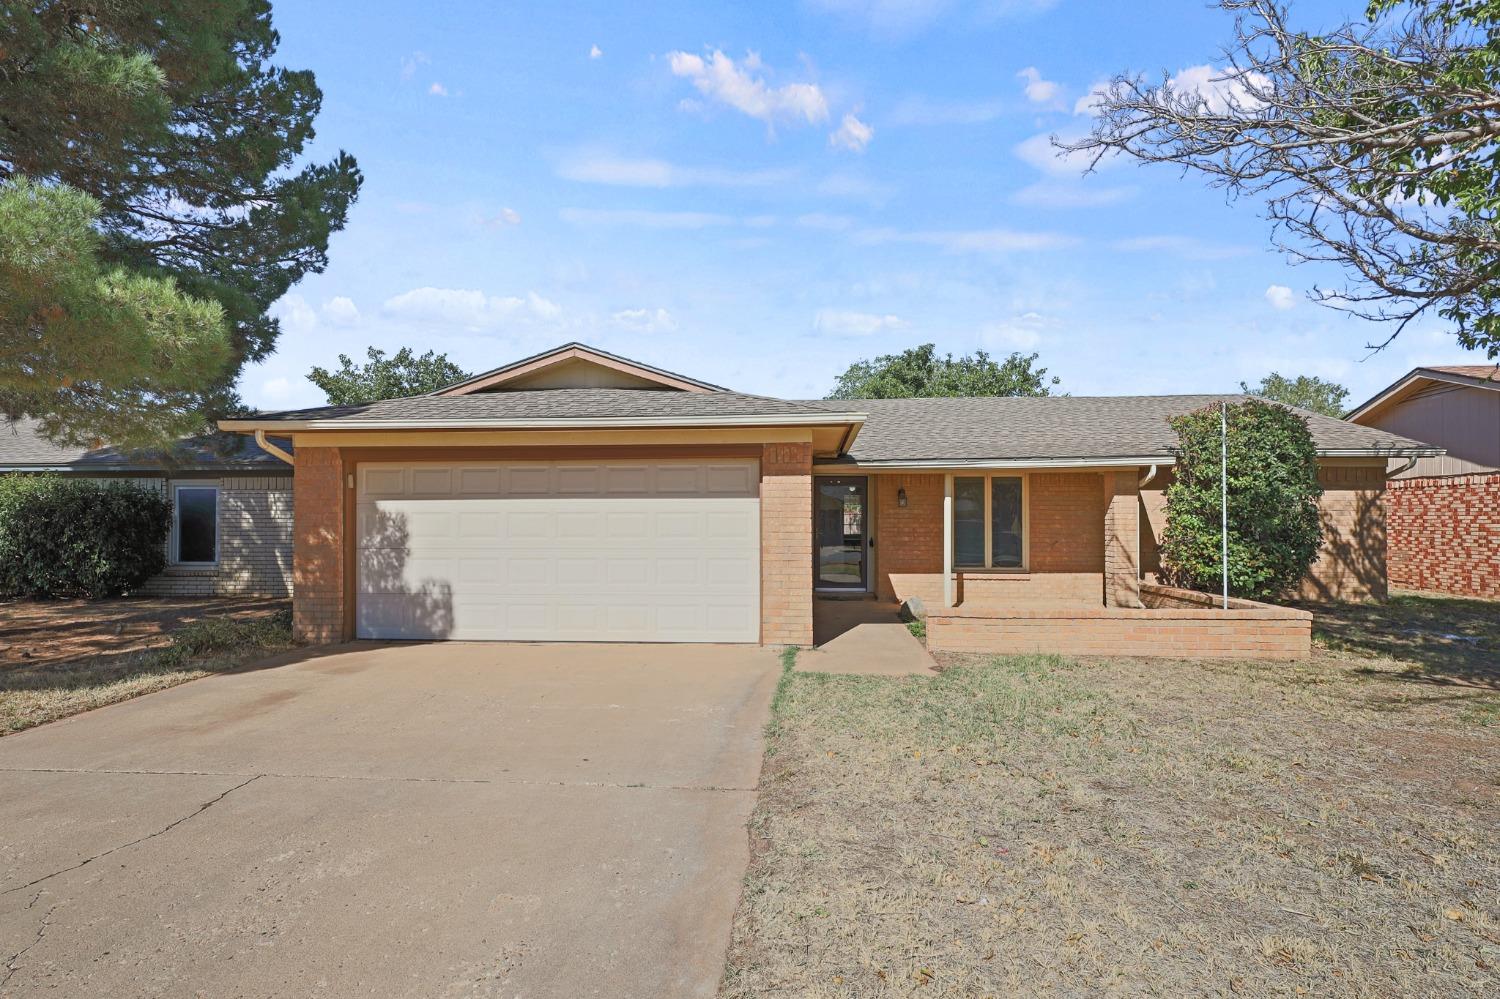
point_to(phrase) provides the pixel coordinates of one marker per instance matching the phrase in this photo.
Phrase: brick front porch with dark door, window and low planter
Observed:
(1027, 562)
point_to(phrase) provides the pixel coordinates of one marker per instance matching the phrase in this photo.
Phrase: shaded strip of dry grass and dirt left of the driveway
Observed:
(50, 691)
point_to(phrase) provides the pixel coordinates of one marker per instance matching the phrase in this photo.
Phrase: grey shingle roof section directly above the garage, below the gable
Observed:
(563, 404)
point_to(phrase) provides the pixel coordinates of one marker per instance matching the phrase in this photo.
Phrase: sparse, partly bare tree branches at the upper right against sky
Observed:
(1373, 145)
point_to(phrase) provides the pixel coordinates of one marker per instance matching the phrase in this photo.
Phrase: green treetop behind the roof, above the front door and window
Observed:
(920, 373)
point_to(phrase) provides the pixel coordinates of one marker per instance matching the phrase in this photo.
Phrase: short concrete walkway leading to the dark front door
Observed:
(863, 637)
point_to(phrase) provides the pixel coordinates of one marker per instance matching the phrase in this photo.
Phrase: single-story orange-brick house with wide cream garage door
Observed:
(578, 496)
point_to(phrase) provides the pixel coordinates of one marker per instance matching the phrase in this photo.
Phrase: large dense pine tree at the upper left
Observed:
(151, 211)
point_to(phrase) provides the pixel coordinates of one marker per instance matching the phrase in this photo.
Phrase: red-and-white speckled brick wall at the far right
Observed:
(1445, 535)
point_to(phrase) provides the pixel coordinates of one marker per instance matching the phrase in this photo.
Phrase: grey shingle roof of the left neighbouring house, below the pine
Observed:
(22, 446)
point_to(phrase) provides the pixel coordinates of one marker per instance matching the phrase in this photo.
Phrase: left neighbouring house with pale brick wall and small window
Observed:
(232, 506)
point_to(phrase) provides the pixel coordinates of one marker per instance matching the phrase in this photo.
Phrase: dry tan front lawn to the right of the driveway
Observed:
(1048, 827)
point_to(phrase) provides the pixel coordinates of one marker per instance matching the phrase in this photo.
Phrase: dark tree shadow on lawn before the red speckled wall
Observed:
(1441, 640)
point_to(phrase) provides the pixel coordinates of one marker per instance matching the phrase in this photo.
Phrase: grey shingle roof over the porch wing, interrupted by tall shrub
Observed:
(1058, 428)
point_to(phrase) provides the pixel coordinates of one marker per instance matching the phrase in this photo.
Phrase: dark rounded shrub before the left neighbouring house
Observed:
(68, 538)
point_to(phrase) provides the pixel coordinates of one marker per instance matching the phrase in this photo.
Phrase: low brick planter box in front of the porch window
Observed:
(1174, 625)
